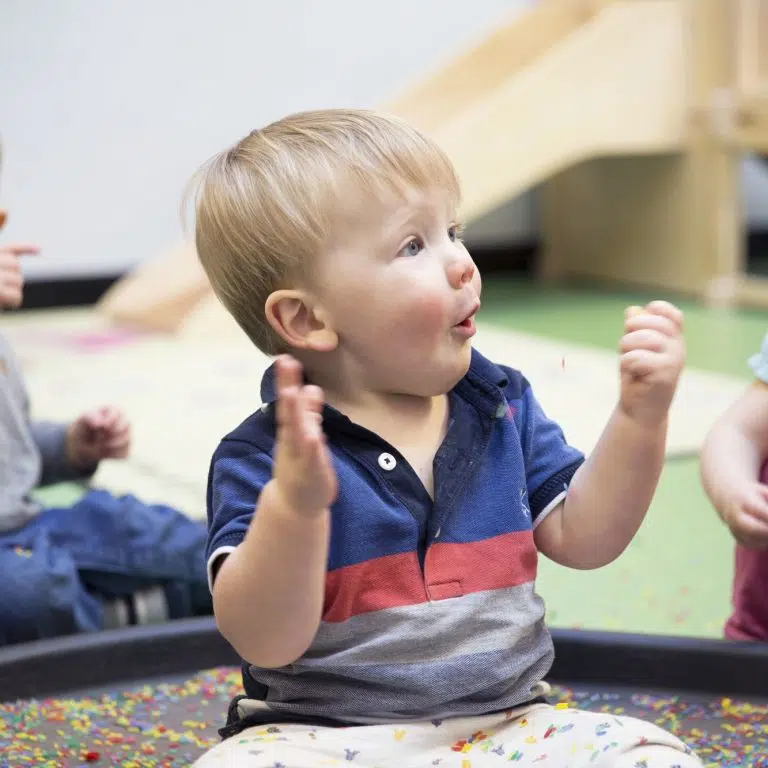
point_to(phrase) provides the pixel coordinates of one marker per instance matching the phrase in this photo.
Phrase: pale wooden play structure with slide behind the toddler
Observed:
(632, 115)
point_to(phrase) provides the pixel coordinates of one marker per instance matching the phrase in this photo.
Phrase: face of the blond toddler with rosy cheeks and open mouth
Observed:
(402, 291)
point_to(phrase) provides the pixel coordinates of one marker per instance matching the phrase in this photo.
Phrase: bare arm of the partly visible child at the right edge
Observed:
(731, 459)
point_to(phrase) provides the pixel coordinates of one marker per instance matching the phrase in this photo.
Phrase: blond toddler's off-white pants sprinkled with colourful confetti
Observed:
(539, 735)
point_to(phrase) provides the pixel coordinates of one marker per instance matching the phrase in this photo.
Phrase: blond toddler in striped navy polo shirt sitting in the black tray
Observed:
(374, 527)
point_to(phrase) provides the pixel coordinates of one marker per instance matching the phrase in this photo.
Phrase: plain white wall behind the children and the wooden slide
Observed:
(106, 108)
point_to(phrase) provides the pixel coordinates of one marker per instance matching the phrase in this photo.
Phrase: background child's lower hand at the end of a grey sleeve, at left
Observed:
(103, 433)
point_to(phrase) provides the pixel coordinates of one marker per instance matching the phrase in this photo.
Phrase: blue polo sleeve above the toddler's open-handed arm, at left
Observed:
(239, 471)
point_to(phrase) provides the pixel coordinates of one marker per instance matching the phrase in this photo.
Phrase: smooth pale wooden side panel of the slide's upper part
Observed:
(597, 93)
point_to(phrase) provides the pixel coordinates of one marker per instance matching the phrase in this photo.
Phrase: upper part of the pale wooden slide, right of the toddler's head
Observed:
(565, 82)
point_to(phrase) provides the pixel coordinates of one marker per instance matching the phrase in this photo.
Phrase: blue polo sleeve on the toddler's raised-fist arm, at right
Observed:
(550, 463)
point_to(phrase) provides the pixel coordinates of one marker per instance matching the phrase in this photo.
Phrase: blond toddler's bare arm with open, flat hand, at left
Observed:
(268, 594)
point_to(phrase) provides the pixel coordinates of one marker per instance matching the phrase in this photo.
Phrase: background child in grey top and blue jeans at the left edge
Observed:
(105, 561)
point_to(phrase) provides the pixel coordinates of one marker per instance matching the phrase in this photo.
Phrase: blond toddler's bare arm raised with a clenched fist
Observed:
(610, 493)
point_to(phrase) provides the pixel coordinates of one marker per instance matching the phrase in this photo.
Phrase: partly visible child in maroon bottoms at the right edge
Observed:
(735, 475)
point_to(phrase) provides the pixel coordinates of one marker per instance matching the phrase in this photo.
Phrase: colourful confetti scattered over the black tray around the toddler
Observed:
(169, 725)
